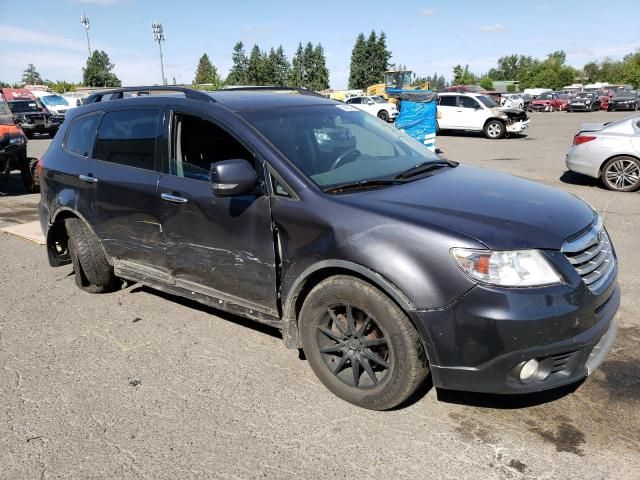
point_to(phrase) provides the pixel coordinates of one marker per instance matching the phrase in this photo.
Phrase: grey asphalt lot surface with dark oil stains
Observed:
(138, 384)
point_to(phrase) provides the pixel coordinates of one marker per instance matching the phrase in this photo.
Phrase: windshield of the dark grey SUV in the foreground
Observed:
(339, 144)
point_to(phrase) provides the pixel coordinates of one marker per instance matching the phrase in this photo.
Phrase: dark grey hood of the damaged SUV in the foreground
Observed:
(499, 210)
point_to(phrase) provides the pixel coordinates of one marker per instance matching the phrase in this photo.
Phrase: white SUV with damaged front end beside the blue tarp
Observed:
(478, 112)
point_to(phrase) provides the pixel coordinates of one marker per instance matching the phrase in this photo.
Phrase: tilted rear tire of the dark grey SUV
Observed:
(93, 272)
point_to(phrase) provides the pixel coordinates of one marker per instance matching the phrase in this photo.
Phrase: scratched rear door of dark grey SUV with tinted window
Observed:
(125, 173)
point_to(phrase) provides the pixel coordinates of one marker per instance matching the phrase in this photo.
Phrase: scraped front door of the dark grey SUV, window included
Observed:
(218, 246)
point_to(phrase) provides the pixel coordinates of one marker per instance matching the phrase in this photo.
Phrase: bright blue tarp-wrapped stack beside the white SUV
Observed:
(417, 117)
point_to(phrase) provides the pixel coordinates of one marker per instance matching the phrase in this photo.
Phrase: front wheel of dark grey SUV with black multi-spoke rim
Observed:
(380, 342)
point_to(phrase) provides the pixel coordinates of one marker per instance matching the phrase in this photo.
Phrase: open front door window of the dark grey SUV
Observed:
(197, 143)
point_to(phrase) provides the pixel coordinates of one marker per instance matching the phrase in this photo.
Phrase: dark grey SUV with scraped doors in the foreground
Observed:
(381, 261)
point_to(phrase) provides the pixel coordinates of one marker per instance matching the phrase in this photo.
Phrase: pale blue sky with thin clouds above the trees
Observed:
(426, 36)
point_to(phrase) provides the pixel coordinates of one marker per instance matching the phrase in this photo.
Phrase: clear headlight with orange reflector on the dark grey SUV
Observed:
(519, 268)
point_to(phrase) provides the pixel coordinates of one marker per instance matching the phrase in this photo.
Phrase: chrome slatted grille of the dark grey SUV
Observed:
(591, 255)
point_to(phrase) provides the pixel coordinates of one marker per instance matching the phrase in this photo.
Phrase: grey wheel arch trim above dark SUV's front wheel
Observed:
(320, 271)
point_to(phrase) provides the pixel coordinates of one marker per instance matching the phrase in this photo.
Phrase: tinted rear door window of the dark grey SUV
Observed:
(128, 137)
